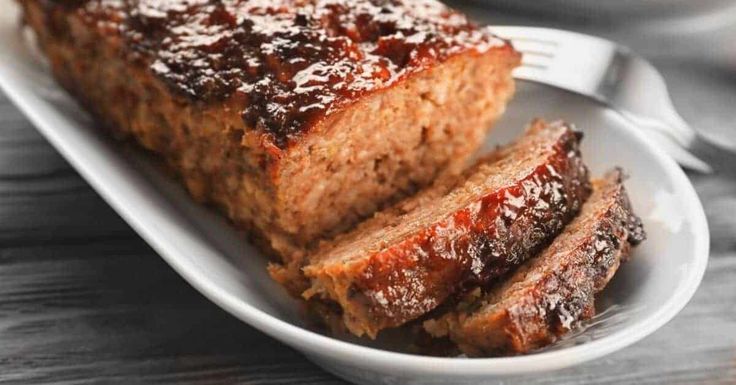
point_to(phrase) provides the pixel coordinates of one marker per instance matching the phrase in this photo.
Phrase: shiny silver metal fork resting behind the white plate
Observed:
(616, 77)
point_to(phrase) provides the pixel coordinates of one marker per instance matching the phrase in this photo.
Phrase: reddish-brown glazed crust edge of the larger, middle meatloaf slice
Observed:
(477, 244)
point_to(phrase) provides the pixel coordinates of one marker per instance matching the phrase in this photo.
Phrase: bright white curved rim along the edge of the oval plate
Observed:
(324, 347)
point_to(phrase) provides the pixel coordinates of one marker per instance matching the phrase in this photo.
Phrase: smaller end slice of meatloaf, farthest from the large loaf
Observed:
(548, 295)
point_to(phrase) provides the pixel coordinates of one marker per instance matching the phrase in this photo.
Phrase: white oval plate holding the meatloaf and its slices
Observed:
(646, 293)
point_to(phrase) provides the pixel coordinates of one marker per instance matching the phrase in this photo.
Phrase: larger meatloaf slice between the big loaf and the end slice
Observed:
(459, 234)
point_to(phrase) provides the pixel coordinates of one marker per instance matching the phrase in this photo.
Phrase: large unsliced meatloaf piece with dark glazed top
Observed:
(297, 117)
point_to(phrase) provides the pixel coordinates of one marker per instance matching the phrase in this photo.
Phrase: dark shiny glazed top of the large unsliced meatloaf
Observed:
(286, 63)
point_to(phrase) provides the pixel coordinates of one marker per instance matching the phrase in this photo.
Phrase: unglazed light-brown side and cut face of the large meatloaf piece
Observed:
(274, 192)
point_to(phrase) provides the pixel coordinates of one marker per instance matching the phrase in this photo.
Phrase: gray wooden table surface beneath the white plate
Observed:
(84, 300)
